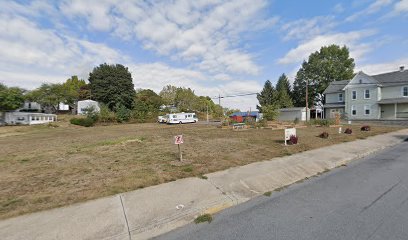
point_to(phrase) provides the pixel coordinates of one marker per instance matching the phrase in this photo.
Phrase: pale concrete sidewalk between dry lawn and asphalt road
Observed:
(149, 212)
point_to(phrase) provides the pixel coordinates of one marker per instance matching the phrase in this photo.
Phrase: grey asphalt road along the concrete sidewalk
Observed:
(367, 199)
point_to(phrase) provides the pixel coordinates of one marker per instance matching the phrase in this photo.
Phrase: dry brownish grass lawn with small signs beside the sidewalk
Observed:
(43, 167)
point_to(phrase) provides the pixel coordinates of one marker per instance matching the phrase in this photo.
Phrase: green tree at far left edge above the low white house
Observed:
(10, 98)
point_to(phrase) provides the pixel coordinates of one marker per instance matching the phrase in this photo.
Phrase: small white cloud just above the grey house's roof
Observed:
(377, 68)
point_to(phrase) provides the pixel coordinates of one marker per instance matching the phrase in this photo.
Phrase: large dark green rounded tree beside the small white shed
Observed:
(112, 85)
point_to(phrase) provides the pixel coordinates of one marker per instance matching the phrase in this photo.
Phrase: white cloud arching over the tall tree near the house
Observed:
(350, 39)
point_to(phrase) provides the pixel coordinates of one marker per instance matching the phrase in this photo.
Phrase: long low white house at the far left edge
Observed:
(27, 118)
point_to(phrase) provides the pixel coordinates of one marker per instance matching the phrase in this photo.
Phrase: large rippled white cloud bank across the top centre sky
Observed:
(205, 32)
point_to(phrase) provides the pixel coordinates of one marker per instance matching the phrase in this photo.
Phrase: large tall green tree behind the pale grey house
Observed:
(331, 63)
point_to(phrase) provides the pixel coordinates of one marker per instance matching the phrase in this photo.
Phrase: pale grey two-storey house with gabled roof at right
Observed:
(382, 96)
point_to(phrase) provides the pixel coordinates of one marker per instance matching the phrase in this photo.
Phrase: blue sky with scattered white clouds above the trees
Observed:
(214, 47)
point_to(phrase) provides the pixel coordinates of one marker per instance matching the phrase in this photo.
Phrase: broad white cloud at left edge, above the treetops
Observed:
(33, 51)
